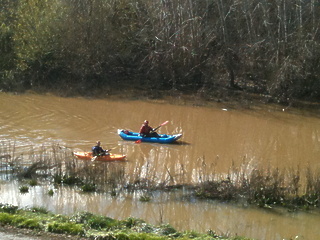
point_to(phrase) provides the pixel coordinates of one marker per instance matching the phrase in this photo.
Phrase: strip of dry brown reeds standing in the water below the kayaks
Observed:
(264, 186)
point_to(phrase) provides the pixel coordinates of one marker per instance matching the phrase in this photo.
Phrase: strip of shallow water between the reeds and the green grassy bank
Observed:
(171, 208)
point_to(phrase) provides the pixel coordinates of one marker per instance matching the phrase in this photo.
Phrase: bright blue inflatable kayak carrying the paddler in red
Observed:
(133, 136)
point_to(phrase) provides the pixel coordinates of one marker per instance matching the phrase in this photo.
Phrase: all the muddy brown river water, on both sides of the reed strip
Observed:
(218, 135)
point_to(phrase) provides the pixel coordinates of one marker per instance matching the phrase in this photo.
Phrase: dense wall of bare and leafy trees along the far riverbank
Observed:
(207, 47)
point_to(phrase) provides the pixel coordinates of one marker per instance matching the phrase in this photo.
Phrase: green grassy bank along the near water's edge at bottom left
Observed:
(86, 225)
